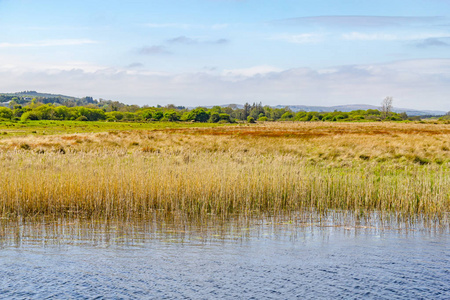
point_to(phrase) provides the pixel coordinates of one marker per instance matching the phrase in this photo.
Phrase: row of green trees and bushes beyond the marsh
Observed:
(37, 110)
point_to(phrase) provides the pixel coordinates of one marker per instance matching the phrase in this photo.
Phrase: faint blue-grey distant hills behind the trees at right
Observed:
(351, 107)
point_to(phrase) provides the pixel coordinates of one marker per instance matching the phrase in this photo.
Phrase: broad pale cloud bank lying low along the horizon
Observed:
(422, 84)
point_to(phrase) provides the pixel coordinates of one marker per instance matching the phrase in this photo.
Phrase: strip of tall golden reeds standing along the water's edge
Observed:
(111, 186)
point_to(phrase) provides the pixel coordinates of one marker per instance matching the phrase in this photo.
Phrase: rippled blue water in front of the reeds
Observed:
(259, 258)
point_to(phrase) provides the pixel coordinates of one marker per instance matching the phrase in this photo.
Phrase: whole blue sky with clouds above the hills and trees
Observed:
(212, 52)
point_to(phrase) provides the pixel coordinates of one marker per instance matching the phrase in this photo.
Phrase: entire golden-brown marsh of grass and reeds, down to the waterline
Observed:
(268, 168)
